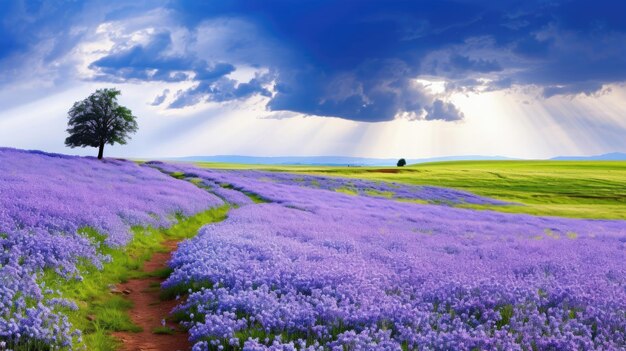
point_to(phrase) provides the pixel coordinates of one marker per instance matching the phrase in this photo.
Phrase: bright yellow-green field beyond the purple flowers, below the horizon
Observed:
(582, 189)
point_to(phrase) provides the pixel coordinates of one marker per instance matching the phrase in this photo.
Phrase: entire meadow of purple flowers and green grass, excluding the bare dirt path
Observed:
(316, 258)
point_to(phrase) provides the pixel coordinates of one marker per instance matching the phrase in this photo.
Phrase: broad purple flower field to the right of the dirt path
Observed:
(321, 270)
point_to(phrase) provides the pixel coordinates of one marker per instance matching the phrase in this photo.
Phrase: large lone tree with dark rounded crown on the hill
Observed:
(99, 120)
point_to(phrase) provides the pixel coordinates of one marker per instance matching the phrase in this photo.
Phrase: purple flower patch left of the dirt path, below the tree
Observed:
(46, 202)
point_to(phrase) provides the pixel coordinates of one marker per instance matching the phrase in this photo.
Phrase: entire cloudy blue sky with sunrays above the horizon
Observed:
(414, 79)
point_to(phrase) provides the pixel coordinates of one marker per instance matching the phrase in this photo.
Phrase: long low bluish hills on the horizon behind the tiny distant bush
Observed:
(327, 160)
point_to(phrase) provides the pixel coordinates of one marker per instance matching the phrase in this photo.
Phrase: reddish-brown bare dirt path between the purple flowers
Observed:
(149, 310)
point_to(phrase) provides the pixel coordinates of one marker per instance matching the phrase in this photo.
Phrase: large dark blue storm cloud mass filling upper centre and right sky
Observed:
(346, 49)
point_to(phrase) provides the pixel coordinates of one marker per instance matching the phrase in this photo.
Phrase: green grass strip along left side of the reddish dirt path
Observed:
(100, 312)
